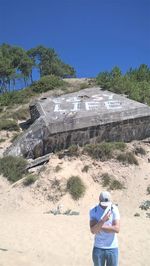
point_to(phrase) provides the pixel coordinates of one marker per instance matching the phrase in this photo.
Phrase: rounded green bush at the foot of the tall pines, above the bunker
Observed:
(47, 83)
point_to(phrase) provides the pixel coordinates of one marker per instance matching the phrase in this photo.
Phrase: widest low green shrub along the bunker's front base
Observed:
(104, 150)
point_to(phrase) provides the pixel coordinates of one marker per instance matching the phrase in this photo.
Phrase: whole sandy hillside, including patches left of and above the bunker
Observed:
(30, 232)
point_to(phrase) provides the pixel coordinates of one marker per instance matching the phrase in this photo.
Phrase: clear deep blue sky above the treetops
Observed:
(90, 35)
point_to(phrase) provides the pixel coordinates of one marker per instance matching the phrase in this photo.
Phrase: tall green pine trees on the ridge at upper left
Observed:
(17, 64)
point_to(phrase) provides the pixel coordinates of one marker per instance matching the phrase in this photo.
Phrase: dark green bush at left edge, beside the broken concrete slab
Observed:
(13, 168)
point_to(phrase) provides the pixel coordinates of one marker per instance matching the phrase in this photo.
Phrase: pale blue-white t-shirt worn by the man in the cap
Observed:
(103, 239)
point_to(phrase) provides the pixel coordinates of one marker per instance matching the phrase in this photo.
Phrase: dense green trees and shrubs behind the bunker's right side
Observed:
(135, 83)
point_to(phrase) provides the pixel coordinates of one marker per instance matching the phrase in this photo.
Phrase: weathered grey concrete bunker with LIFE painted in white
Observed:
(90, 115)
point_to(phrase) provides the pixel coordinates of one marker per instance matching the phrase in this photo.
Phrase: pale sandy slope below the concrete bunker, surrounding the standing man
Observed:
(33, 237)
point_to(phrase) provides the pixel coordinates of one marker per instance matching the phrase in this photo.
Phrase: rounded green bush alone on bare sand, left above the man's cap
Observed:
(76, 187)
